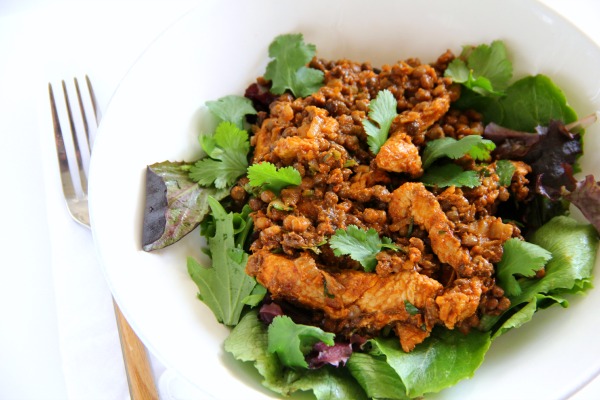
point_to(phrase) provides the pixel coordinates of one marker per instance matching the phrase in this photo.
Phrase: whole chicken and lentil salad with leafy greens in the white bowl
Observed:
(373, 230)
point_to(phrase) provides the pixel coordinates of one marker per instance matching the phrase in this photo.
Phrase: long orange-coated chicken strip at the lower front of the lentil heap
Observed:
(351, 300)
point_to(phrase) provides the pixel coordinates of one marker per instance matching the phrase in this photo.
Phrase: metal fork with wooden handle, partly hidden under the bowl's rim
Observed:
(74, 184)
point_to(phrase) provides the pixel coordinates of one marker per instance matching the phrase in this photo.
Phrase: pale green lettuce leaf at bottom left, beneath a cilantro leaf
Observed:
(248, 342)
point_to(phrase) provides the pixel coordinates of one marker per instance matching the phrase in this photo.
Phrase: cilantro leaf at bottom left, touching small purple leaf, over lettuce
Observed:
(291, 341)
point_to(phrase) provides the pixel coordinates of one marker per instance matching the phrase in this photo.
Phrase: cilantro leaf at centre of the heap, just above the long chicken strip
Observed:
(360, 245)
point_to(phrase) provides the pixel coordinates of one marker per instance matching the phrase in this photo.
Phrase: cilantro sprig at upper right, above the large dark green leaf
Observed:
(483, 69)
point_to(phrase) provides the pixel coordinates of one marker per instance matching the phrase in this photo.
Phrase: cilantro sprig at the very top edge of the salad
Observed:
(288, 68)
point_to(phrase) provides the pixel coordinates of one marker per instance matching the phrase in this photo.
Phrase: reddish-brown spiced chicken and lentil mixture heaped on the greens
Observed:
(450, 238)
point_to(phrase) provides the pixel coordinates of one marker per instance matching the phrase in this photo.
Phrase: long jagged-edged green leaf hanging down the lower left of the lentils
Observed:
(225, 285)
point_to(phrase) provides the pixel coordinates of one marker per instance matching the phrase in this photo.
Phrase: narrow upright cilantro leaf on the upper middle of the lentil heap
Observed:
(382, 110)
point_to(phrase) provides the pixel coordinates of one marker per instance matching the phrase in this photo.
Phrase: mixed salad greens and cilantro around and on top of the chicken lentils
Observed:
(529, 119)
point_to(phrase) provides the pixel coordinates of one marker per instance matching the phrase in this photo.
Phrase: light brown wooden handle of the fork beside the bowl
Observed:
(137, 366)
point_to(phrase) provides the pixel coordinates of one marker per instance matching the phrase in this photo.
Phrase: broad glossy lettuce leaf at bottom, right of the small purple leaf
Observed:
(445, 358)
